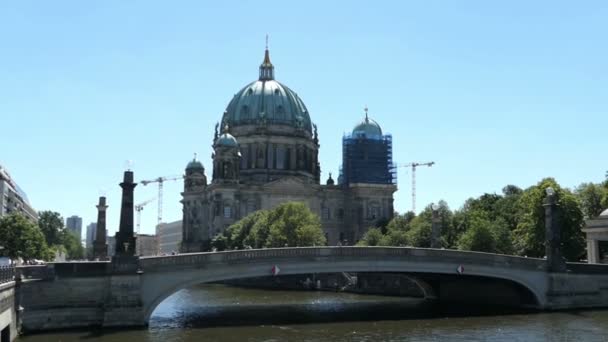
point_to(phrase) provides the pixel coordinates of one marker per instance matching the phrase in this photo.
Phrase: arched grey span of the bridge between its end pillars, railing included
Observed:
(163, 276)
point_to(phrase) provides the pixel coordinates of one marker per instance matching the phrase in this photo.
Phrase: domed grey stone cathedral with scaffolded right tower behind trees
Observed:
(265, 152)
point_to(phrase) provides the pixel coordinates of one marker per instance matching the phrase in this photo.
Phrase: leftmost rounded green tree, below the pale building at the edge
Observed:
(22, 238)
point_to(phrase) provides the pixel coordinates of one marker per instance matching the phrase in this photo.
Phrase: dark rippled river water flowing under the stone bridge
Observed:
(222, 313)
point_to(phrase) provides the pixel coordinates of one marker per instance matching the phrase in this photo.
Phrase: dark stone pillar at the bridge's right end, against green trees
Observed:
(555, 261)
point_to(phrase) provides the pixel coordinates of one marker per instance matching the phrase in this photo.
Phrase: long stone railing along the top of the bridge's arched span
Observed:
(327, 253)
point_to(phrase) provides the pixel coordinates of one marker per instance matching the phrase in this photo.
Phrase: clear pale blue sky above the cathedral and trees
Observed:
(494, 92)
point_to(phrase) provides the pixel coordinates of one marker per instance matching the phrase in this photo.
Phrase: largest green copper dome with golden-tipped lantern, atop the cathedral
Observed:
(267, 102)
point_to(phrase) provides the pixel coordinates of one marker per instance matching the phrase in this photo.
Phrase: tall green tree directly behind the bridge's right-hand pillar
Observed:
(529, 236)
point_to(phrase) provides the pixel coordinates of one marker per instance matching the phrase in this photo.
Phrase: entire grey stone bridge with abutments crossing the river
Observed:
(125, 293)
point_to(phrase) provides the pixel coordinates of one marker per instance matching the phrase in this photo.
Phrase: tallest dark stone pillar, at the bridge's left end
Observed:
(125, 239)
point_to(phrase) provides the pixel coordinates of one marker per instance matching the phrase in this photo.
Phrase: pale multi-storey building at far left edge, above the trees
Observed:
(12, 198)
